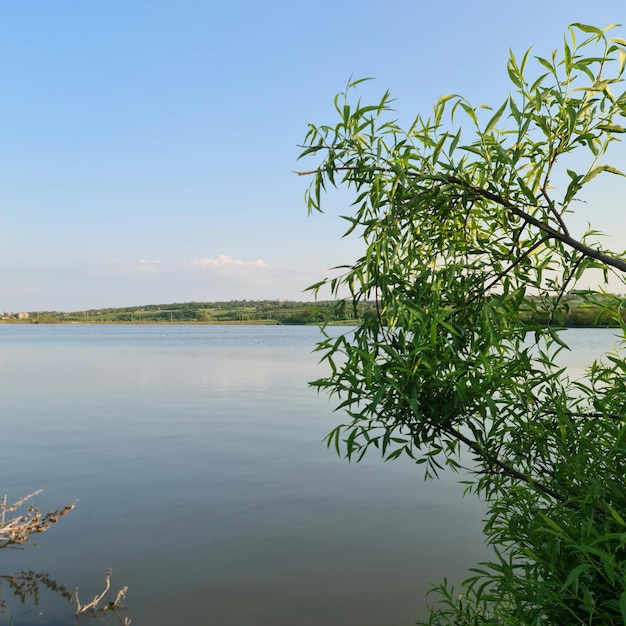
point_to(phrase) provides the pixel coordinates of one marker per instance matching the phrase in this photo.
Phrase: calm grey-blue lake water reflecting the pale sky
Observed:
(195, 455)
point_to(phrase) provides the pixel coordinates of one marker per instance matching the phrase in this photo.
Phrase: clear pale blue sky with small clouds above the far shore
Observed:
(147, 147)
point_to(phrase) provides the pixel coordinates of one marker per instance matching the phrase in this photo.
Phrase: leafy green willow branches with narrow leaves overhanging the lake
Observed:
(470, 262)
